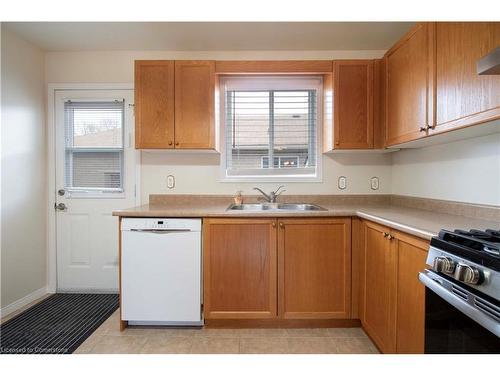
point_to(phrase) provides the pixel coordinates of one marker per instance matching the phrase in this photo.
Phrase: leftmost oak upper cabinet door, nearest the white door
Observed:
(154, 104)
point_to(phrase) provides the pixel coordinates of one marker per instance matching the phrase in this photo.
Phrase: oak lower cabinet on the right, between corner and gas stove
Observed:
(392, 297)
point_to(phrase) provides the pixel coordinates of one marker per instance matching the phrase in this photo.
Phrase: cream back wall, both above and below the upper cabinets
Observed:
(198, 174)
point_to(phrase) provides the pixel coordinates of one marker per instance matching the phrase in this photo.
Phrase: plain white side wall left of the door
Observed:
(23, 169)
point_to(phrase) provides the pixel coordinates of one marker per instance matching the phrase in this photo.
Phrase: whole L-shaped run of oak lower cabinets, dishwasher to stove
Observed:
(303, 269)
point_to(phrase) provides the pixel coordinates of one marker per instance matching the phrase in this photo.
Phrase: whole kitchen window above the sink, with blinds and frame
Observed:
(271, 118)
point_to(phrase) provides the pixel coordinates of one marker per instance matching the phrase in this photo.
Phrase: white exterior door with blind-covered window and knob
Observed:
(95, 175)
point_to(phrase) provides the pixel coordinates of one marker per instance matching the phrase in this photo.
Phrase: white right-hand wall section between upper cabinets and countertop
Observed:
(466, 171)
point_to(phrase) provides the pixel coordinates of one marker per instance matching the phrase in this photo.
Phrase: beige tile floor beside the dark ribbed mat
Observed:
(109, 339)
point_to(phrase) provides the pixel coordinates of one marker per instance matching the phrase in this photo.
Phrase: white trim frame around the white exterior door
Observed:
(52, 89)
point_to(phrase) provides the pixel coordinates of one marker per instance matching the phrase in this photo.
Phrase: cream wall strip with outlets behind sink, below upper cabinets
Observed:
(199, 174)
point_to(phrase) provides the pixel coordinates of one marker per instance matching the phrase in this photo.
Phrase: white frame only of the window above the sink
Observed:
(271, 82)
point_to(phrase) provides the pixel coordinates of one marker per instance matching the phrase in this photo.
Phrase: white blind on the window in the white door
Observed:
(94, 145)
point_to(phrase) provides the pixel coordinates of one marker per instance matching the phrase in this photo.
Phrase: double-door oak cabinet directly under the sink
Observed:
(277, 269)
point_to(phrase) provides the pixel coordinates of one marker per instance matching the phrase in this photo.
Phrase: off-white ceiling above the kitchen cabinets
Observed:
(210, 36)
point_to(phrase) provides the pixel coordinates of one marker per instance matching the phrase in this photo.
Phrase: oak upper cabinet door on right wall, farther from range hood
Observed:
(409, 85)
